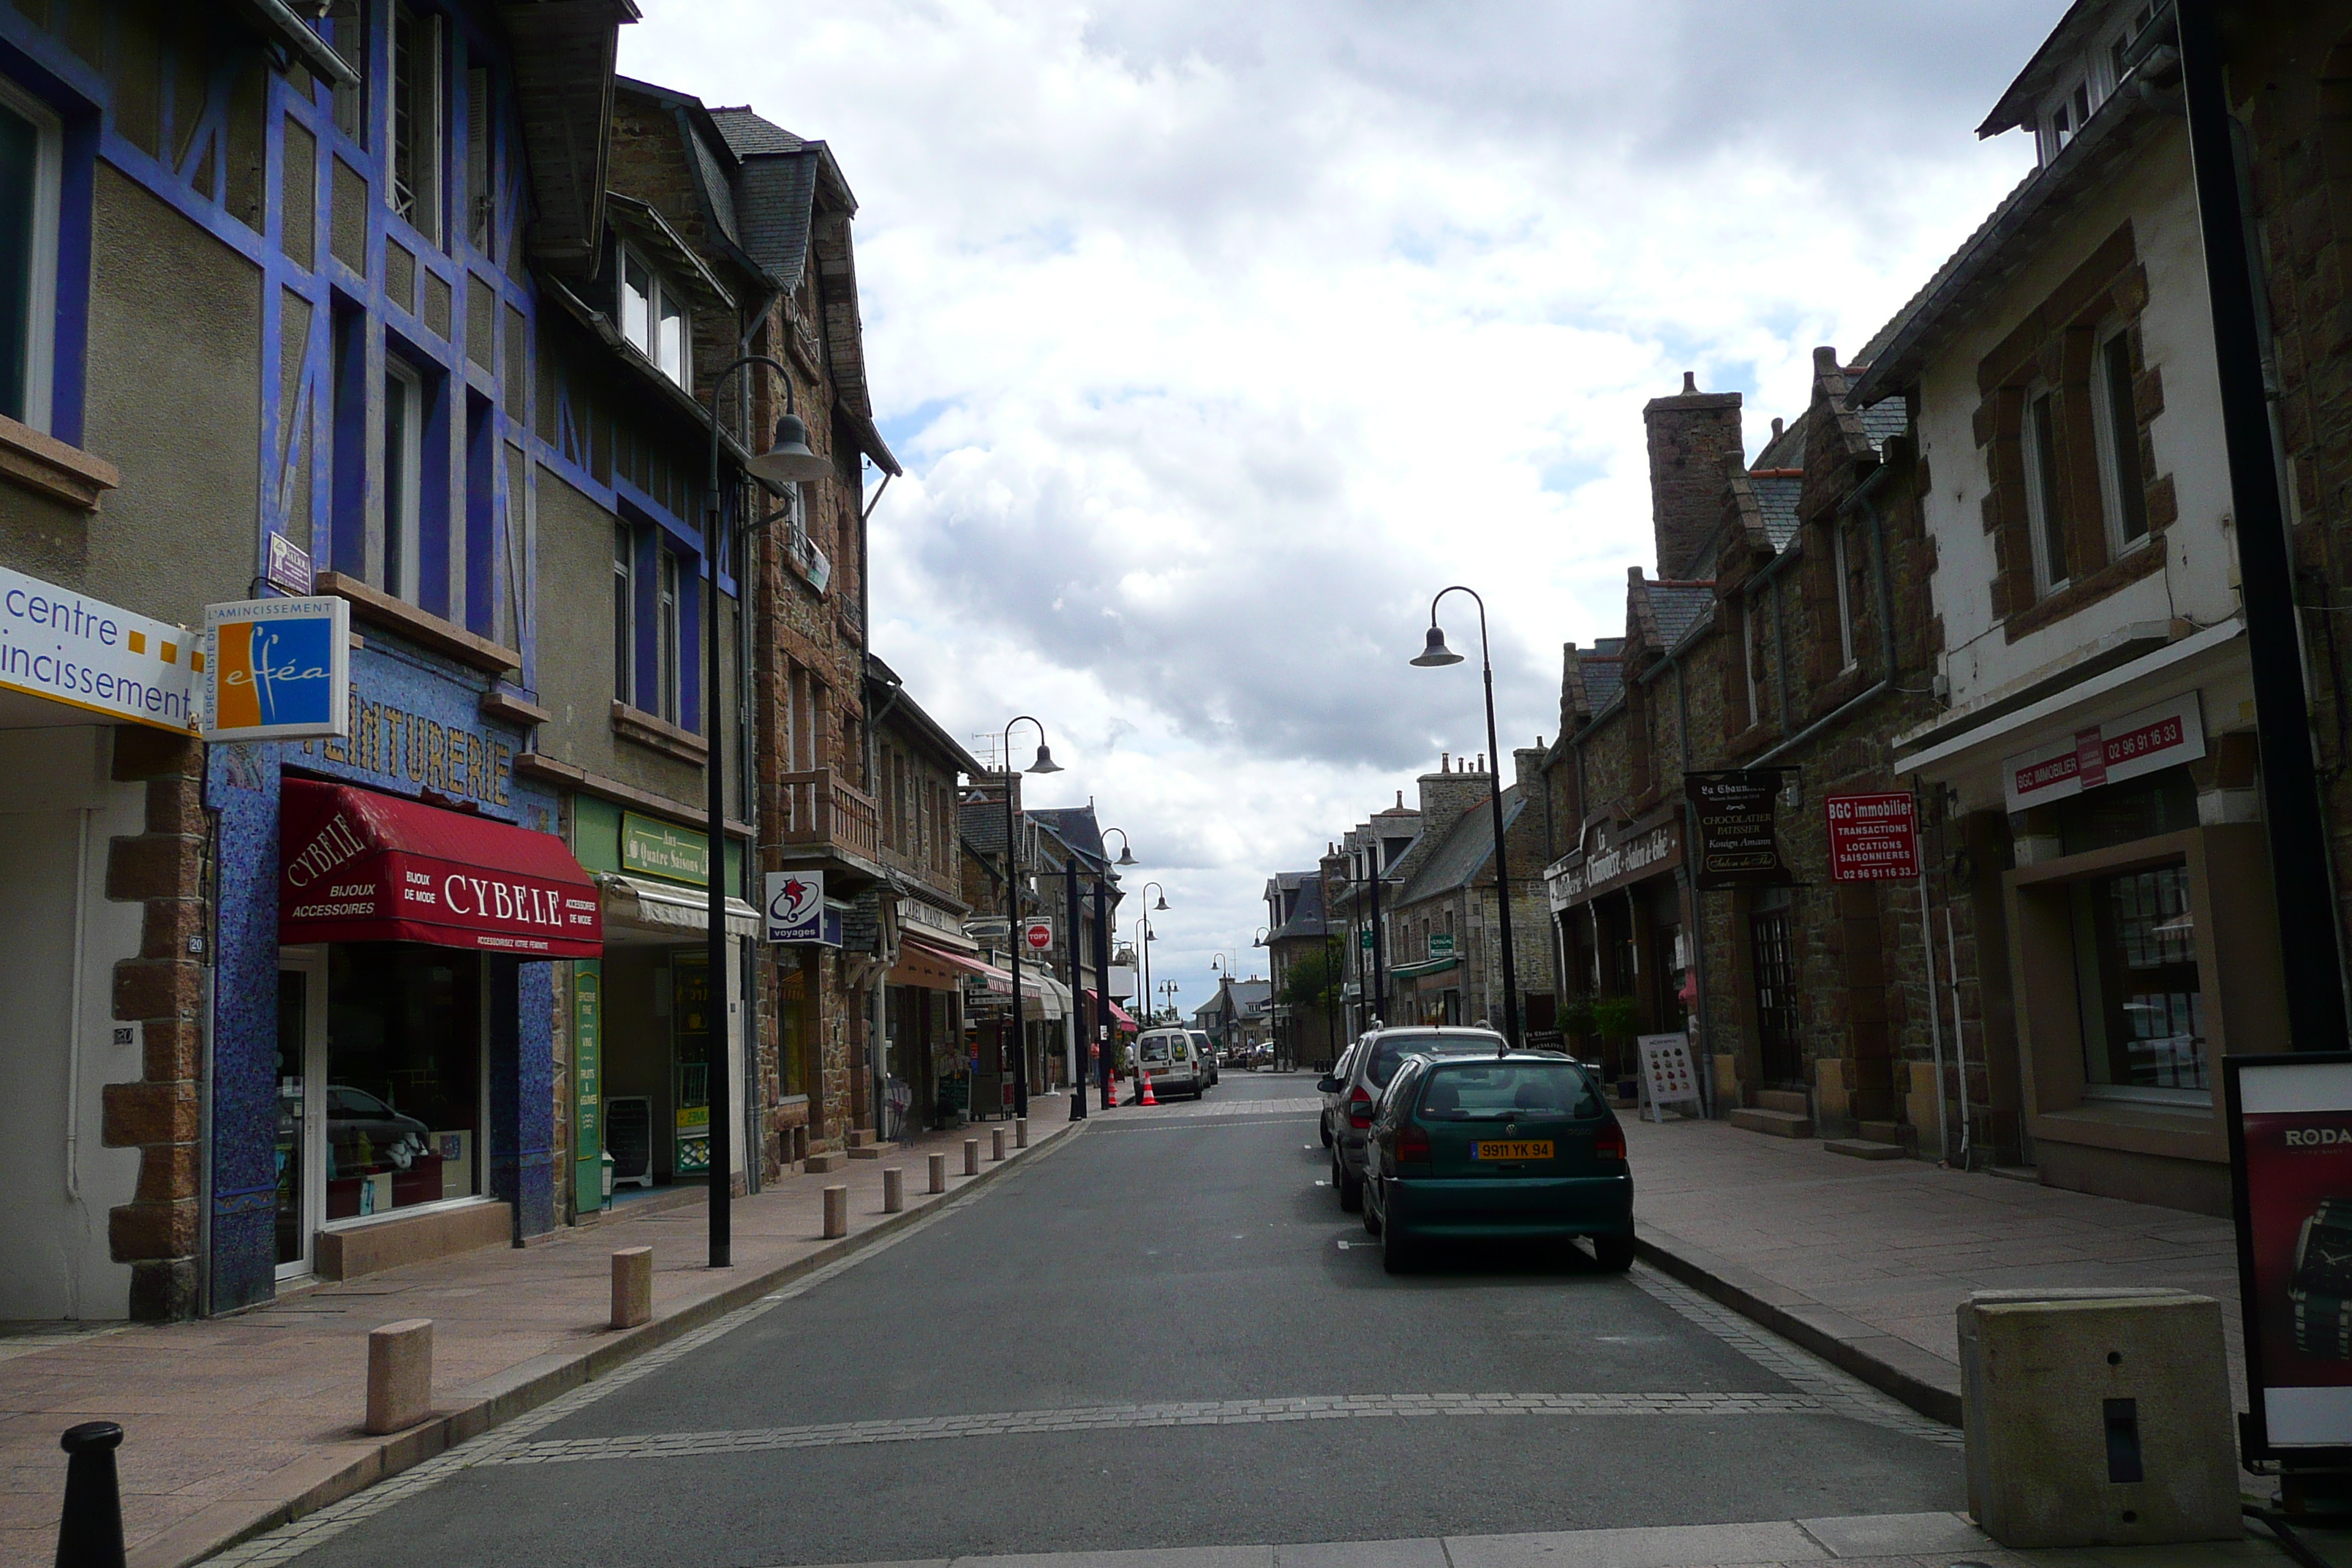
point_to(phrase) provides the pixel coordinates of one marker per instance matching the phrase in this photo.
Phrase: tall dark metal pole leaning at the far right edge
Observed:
(2299, 843)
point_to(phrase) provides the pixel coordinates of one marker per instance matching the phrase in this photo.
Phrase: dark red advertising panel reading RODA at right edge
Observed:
(2292, 1162)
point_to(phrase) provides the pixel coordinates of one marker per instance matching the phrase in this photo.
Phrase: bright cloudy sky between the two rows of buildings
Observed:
(1220, 335)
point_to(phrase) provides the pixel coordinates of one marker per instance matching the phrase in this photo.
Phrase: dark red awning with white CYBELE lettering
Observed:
(356, 866)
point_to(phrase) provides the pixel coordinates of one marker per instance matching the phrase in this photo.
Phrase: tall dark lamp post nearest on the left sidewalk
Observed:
(784, 464)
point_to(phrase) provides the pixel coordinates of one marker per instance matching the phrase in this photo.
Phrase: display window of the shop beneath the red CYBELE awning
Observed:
(403, 1078)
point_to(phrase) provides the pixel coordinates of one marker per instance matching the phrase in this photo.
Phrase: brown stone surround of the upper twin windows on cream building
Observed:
(2057, 344)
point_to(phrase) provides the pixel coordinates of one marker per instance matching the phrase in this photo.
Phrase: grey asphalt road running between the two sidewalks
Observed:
(998, 1381)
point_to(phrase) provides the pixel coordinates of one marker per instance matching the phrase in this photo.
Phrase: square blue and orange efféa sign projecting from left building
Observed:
(279, 671)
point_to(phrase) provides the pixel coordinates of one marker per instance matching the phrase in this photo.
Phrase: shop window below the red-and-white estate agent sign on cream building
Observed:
(2139, 986)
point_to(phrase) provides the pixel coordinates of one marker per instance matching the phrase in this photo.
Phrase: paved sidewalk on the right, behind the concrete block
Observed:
(1864, 1261)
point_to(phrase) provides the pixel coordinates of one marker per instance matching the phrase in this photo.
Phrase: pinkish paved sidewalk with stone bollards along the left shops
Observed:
(241, 1423)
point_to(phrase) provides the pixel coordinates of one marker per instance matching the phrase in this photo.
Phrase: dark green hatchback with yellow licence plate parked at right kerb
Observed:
(1497, 1148)
